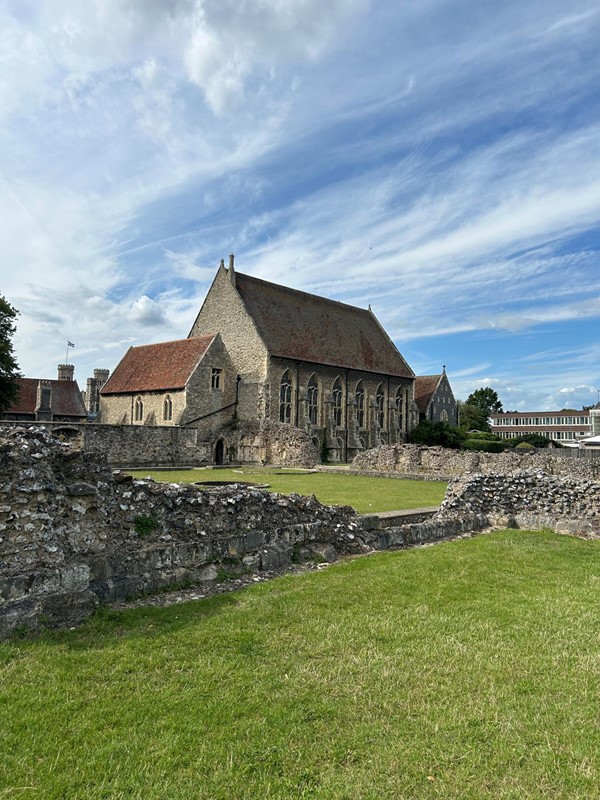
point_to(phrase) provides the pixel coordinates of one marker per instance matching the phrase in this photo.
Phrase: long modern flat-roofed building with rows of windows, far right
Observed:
(562, 426)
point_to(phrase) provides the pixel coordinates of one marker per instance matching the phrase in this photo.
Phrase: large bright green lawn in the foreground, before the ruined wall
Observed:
(466, 670)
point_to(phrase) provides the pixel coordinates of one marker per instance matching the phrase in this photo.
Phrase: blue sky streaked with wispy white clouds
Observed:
(436, 159)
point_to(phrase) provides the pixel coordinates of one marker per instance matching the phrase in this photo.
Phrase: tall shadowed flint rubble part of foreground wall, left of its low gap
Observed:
(72, 535)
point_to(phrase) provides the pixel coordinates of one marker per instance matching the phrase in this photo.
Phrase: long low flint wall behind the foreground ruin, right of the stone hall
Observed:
(441, 462)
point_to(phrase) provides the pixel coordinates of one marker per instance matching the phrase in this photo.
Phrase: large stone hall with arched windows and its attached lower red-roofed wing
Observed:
(259, 353)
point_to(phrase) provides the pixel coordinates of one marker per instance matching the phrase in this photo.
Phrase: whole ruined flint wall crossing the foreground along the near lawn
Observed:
(73, 535)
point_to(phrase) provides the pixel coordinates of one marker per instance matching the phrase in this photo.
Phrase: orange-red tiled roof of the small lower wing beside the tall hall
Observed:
(157, 367)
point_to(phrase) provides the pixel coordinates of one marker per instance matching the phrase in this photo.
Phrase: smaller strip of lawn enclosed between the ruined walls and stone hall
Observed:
(363, 493)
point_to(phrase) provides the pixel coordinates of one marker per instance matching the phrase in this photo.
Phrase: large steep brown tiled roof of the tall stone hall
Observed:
(306, 327)
